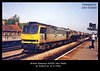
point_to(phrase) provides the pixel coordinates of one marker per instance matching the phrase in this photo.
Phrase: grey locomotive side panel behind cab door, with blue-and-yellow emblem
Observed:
(54, 34)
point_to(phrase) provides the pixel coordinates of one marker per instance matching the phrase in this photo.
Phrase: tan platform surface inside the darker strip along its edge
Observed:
(86, 53)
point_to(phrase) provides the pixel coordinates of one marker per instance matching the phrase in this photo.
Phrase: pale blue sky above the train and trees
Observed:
(70, 15)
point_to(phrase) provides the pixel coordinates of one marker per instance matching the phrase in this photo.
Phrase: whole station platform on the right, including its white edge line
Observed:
(82, 52)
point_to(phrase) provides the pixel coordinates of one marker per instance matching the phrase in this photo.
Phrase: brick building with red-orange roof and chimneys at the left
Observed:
(10, 31)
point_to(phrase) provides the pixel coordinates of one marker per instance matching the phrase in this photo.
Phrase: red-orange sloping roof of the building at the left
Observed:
(11, 28)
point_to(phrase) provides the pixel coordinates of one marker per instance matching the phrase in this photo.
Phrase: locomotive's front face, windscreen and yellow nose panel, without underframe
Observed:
(30, 34)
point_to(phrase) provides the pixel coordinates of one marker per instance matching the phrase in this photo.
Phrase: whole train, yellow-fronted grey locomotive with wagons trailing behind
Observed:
(37, 36)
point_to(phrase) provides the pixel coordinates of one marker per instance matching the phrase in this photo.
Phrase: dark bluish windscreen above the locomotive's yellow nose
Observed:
(30, 29)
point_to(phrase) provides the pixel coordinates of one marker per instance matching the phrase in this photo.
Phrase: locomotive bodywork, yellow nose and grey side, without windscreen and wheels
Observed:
(45, 34)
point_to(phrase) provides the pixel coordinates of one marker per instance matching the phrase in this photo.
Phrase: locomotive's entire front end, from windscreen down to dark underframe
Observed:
(30, 37)
